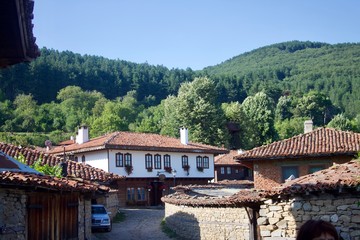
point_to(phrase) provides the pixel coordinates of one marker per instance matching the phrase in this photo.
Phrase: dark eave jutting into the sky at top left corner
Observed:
(17, 43)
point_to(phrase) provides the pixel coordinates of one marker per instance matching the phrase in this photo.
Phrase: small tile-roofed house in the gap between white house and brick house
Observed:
(226, 168)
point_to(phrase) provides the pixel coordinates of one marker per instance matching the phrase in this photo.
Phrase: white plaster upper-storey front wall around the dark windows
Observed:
(138, 161)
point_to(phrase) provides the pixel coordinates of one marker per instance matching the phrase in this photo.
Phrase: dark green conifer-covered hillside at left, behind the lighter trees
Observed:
(54, 70)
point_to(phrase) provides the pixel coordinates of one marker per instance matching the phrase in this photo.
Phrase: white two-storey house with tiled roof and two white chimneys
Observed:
(151, 163)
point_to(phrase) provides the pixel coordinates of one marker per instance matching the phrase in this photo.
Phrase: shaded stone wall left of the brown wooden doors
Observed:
(12, 214)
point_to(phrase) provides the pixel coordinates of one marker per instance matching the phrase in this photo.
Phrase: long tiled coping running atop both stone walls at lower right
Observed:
(338, 177)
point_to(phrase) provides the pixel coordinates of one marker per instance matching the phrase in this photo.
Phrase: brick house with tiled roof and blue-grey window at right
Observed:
(300, 155)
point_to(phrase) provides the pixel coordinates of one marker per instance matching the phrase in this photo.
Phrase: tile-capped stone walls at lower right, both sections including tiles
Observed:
(331, 195)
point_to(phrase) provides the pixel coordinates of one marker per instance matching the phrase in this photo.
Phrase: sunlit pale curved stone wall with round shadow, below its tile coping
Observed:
(211, 223)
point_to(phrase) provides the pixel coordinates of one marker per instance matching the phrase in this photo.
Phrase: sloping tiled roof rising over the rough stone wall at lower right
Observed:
(337, 177)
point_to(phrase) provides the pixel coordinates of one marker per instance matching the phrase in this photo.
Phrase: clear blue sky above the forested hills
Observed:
(189, 33)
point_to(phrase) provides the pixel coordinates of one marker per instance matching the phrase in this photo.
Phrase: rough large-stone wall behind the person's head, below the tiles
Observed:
(280, 220)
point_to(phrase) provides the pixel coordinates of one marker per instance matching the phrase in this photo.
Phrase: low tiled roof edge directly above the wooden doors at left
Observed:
(47, 182)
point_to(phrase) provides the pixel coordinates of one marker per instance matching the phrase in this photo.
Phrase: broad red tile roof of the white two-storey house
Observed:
(138, 141)
